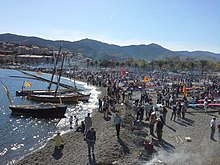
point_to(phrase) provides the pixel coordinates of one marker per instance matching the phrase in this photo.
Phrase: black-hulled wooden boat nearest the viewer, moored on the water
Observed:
(40, 110)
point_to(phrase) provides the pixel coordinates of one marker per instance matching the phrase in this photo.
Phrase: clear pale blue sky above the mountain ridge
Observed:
(174, 24)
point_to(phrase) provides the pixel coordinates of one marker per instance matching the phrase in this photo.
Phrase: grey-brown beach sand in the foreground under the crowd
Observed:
(129, 149)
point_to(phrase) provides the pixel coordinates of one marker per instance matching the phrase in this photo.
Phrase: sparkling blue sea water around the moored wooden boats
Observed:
(20, 135)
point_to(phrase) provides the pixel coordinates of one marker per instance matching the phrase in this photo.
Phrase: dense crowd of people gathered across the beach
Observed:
(168, 94)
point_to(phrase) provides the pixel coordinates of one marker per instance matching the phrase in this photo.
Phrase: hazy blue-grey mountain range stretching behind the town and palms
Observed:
(98, 50)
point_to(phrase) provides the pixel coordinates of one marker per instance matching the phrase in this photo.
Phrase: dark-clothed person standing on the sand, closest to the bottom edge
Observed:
(90, 140)
